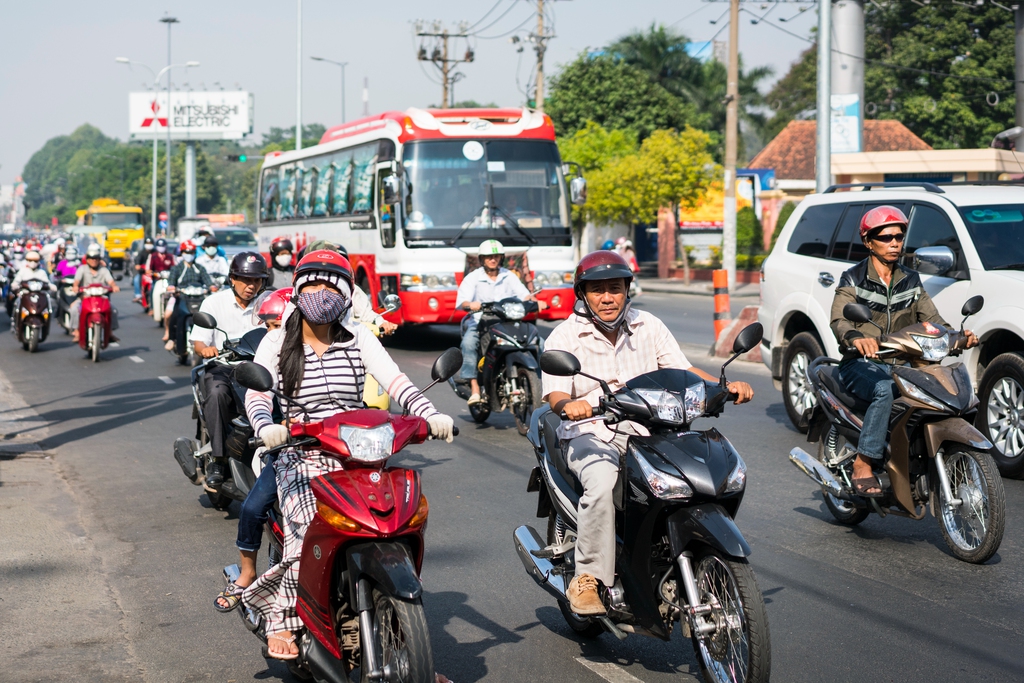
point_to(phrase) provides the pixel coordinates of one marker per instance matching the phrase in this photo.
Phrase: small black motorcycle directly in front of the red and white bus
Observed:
(508, 372)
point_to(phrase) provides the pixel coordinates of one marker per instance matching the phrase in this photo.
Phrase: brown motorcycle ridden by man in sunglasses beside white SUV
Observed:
(936, 461)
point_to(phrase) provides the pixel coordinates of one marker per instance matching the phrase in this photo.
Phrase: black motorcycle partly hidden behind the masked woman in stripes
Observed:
(195, 456)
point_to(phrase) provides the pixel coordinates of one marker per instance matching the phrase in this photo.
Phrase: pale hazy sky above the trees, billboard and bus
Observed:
(60, 71)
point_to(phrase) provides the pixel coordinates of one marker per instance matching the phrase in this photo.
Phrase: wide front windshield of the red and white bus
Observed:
(450, 182)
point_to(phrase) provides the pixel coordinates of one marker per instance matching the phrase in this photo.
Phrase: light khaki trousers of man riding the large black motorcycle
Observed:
(596, 464)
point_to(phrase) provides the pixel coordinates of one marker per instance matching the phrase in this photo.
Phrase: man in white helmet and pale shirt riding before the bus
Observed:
(489, 283)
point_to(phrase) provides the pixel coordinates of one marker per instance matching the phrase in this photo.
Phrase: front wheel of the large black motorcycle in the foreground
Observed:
(739, 650)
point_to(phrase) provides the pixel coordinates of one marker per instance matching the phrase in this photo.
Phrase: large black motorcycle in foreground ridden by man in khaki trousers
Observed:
(680, 557)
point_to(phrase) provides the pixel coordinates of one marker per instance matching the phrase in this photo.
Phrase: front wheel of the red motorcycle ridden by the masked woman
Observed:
(402, 642)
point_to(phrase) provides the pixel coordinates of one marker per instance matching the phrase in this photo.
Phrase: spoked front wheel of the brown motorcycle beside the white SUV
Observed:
(973, 530)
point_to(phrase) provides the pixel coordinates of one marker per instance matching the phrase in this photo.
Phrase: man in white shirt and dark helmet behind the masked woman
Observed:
(233, 309)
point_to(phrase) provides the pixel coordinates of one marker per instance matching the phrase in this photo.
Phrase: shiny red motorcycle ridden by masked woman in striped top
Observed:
(360, 590)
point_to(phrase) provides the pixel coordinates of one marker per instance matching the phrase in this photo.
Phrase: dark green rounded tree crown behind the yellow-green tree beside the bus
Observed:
(615, 96)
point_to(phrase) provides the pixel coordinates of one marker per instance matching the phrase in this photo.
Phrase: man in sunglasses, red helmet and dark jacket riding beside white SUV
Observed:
(898, 300)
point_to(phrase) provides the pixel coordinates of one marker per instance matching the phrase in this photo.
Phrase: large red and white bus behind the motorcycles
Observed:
(412, 195)
